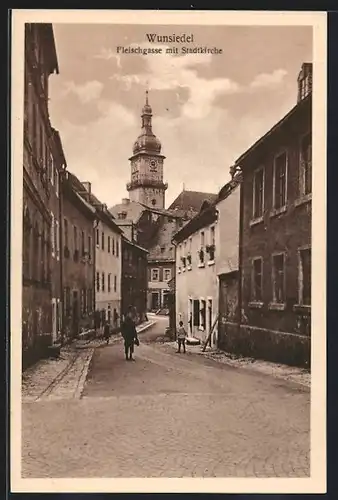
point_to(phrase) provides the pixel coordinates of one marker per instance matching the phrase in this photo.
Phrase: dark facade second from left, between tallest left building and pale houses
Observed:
(78, 259)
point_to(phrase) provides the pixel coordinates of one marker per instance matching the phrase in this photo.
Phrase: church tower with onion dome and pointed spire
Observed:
(146, 185)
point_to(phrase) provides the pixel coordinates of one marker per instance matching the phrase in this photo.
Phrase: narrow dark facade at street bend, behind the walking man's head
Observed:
(134, 279)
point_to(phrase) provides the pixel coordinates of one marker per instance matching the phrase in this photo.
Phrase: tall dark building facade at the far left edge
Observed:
(38, 155)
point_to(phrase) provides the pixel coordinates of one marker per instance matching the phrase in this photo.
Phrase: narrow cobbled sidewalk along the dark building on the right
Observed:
(284, 372)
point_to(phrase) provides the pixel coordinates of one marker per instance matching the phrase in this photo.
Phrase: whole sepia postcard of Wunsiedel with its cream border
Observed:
(168, 251)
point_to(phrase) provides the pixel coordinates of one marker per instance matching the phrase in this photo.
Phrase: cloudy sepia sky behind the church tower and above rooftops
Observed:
(208, 109)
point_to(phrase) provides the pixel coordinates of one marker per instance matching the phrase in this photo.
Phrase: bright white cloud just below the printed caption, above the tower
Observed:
(170, 72)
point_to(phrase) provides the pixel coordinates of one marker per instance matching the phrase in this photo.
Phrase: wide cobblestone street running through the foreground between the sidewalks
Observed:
(167, 415)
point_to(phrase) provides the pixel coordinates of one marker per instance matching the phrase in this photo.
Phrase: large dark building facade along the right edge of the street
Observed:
(275, 237)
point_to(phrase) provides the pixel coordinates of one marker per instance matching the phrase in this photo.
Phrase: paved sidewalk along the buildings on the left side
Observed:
(64, 377)
